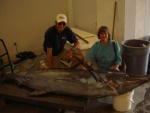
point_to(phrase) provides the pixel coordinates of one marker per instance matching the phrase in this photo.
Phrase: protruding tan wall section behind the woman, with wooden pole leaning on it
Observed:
(105, 16)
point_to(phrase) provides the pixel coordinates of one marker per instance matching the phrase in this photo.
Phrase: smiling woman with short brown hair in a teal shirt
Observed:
(102, 52)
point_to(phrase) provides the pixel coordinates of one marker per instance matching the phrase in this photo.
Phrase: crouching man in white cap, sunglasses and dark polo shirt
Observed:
(55, 40)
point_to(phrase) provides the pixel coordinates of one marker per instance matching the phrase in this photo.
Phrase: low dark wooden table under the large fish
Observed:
(21, 94)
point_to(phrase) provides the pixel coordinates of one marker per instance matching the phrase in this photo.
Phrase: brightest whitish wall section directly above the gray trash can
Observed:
(137, 16)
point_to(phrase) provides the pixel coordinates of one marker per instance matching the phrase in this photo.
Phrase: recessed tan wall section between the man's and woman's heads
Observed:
(85, 15)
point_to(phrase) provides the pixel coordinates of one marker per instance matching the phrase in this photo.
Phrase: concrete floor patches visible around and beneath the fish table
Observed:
(141, 96)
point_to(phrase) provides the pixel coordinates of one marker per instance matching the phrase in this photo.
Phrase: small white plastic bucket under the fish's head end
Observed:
(123, 102)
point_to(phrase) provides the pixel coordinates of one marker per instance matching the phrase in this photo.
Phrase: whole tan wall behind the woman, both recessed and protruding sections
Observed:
(89, 15)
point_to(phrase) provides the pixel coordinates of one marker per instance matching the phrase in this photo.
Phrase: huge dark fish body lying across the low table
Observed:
(78, 82)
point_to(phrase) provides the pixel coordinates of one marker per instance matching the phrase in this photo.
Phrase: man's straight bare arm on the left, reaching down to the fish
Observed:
(50, 58)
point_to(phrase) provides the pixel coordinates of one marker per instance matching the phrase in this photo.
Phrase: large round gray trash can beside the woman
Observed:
(136, 55)
